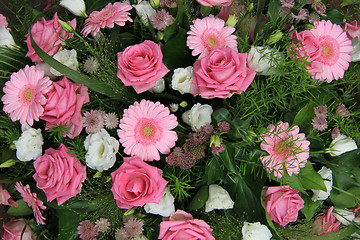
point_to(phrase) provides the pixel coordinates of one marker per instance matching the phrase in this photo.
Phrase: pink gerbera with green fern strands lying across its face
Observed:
(288, 149)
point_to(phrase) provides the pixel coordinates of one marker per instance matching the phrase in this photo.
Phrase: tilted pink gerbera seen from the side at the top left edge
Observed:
(111, 14)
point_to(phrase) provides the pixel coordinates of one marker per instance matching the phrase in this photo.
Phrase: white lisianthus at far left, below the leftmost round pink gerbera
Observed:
(29, 144)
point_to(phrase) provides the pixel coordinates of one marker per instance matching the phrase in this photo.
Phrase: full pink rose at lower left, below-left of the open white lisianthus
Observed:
(59, 174)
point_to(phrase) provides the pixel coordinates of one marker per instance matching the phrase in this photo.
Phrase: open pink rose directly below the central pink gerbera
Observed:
(136, 183)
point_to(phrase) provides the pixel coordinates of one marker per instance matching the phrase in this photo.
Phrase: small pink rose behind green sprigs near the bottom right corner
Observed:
(325, 223)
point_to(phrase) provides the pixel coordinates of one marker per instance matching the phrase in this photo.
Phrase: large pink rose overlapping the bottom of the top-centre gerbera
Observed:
(221, 73)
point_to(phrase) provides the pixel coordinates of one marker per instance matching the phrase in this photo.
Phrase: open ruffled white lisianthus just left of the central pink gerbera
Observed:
(101, 150)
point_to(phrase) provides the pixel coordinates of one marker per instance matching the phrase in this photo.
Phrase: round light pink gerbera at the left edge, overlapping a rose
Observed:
(25, 94)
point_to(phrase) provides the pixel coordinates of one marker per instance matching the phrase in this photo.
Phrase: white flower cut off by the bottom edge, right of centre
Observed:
(255, 231)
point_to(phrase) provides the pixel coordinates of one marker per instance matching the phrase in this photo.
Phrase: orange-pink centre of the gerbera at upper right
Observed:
(330, 50)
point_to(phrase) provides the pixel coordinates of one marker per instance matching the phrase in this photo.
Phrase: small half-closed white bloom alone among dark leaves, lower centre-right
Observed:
(219, 198)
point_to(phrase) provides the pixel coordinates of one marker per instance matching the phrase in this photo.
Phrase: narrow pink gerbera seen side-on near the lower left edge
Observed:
(32, 201)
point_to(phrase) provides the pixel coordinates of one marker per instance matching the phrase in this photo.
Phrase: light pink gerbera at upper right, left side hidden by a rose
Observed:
(335, 47)
